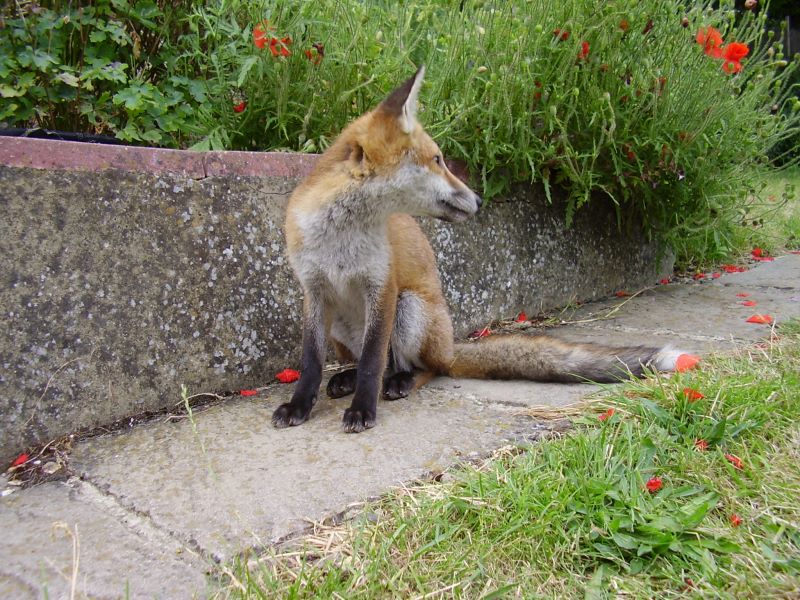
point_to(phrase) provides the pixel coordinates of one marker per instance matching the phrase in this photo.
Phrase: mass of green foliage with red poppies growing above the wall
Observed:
(626, 107)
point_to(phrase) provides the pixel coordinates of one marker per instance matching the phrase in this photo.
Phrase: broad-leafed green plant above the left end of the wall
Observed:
(95, 67)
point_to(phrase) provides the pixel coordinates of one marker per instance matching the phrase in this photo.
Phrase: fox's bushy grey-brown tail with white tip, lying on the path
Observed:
(542, 358)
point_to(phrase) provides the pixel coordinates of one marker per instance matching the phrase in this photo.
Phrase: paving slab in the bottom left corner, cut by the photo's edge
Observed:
(113, 557)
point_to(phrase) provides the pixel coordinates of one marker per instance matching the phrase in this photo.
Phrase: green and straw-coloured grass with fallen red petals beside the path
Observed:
(571, 517)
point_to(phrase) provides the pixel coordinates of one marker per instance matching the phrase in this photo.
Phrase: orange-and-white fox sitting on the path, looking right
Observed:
(371, 284)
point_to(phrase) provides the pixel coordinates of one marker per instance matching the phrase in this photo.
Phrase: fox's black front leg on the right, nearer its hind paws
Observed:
(363, 411)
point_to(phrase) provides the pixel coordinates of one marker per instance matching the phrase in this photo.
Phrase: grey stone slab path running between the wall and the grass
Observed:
(149, 511)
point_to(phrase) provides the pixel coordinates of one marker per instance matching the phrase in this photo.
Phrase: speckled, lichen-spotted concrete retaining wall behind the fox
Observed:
(127, 272)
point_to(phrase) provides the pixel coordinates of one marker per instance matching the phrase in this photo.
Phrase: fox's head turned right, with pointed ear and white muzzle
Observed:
(399, 164)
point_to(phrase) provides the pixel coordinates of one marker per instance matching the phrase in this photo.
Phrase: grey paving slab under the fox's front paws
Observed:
(233, 481)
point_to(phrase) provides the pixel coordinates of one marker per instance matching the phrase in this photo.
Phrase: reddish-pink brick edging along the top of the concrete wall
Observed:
(81, 156)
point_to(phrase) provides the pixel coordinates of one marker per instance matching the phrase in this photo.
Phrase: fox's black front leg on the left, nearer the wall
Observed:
(296, 411)
